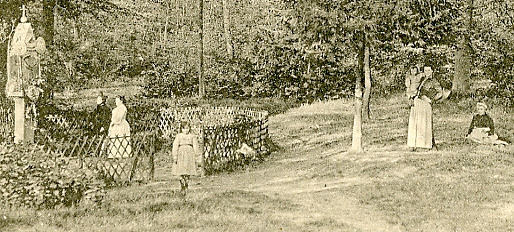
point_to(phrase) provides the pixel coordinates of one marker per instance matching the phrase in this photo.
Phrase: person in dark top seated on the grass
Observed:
(481, 129)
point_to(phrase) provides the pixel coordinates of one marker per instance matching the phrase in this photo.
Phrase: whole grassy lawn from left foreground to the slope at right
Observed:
(311, 183)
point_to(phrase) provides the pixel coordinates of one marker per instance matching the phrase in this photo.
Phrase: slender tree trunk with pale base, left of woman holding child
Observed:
(357, 119)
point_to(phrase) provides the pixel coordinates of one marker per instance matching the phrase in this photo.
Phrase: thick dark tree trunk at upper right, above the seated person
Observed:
(463, 60)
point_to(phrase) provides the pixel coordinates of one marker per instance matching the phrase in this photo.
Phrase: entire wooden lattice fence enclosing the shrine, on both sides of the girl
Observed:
(222, 132)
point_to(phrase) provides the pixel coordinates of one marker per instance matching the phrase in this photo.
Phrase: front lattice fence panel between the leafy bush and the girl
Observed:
(120, 159)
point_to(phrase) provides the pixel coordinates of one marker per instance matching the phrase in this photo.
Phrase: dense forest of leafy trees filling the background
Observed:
(299, 49)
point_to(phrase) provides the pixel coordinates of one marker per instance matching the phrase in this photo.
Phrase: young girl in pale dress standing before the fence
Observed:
(185, 148)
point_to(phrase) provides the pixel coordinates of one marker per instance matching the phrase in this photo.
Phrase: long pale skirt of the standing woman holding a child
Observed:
(420, 125)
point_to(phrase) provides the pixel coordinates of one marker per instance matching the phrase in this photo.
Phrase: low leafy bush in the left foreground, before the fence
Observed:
(31, 177)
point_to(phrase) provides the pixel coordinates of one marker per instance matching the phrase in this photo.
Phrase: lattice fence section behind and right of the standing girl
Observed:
(222, 132)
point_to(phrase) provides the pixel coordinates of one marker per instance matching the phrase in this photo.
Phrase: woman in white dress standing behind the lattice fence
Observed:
(119, 131)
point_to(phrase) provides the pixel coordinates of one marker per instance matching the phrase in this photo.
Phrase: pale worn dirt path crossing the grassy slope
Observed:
(291, 174)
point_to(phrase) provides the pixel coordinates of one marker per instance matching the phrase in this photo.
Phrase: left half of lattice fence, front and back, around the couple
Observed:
(69, 133)
